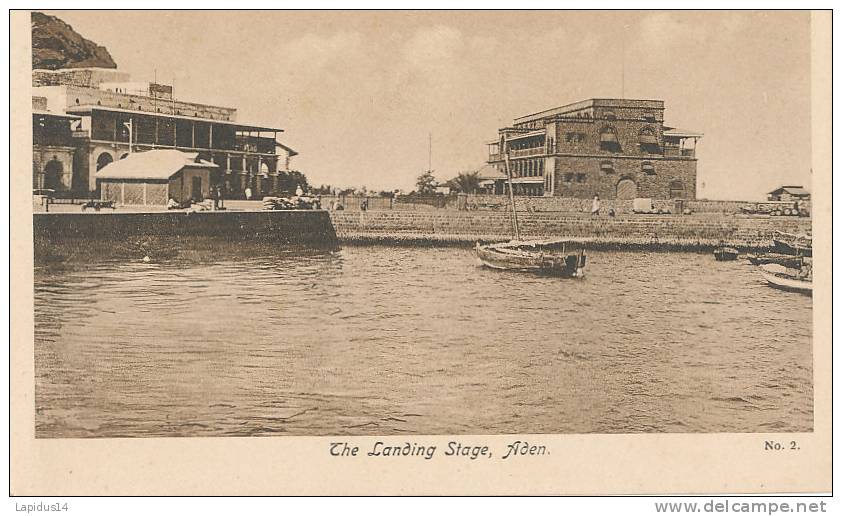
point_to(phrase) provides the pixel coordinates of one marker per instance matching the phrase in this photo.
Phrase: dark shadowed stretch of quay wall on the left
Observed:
(308, 227)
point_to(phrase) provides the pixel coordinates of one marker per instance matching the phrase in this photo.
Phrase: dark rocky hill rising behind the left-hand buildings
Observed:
(56, 45)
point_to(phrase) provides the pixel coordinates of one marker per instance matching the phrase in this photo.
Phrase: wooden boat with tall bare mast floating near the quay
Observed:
(542, 257)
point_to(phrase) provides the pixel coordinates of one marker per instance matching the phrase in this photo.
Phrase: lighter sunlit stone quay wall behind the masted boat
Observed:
(678, 232)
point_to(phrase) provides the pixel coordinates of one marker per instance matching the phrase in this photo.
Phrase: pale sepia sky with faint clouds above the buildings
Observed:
(359, 93)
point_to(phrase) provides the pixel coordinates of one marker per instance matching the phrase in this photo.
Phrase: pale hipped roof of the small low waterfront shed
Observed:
(154, 164)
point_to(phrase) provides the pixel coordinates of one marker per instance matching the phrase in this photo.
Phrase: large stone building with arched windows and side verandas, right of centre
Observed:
(614, 148)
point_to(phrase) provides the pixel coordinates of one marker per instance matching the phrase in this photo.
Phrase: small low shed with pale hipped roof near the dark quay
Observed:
(154, 177)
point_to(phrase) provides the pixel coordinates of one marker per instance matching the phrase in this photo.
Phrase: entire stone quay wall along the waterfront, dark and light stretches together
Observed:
(435, 228)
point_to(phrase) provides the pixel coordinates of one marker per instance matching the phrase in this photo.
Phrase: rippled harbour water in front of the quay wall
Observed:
(233, 339)
